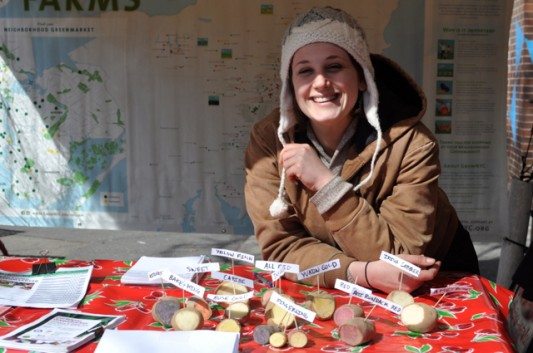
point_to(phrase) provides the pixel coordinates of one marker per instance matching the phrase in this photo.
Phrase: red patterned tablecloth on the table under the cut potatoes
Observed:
(472, 321)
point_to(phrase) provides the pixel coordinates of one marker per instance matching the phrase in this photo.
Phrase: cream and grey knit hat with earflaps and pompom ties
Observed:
(326, 25)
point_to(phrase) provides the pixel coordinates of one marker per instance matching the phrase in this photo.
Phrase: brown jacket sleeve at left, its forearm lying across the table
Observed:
(283, 240)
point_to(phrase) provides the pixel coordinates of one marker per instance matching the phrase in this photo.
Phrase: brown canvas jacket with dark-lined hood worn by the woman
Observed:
(401, 210)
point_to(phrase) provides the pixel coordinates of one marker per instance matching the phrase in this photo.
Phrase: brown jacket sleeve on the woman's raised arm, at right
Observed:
(400, 221)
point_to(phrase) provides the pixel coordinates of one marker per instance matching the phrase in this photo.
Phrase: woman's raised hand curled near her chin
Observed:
(302, 163)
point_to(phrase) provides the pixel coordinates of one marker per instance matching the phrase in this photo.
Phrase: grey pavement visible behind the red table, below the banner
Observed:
(90, 244)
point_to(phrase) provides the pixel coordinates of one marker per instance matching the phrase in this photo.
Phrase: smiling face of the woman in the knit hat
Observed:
(326, 83)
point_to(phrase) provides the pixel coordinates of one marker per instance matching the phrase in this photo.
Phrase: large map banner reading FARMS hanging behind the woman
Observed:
(134, 114)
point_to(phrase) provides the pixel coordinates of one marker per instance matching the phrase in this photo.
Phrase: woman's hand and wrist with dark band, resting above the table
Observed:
(386, 278)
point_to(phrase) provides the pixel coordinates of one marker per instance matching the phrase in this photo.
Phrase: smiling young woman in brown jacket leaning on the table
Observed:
(347, 166)
